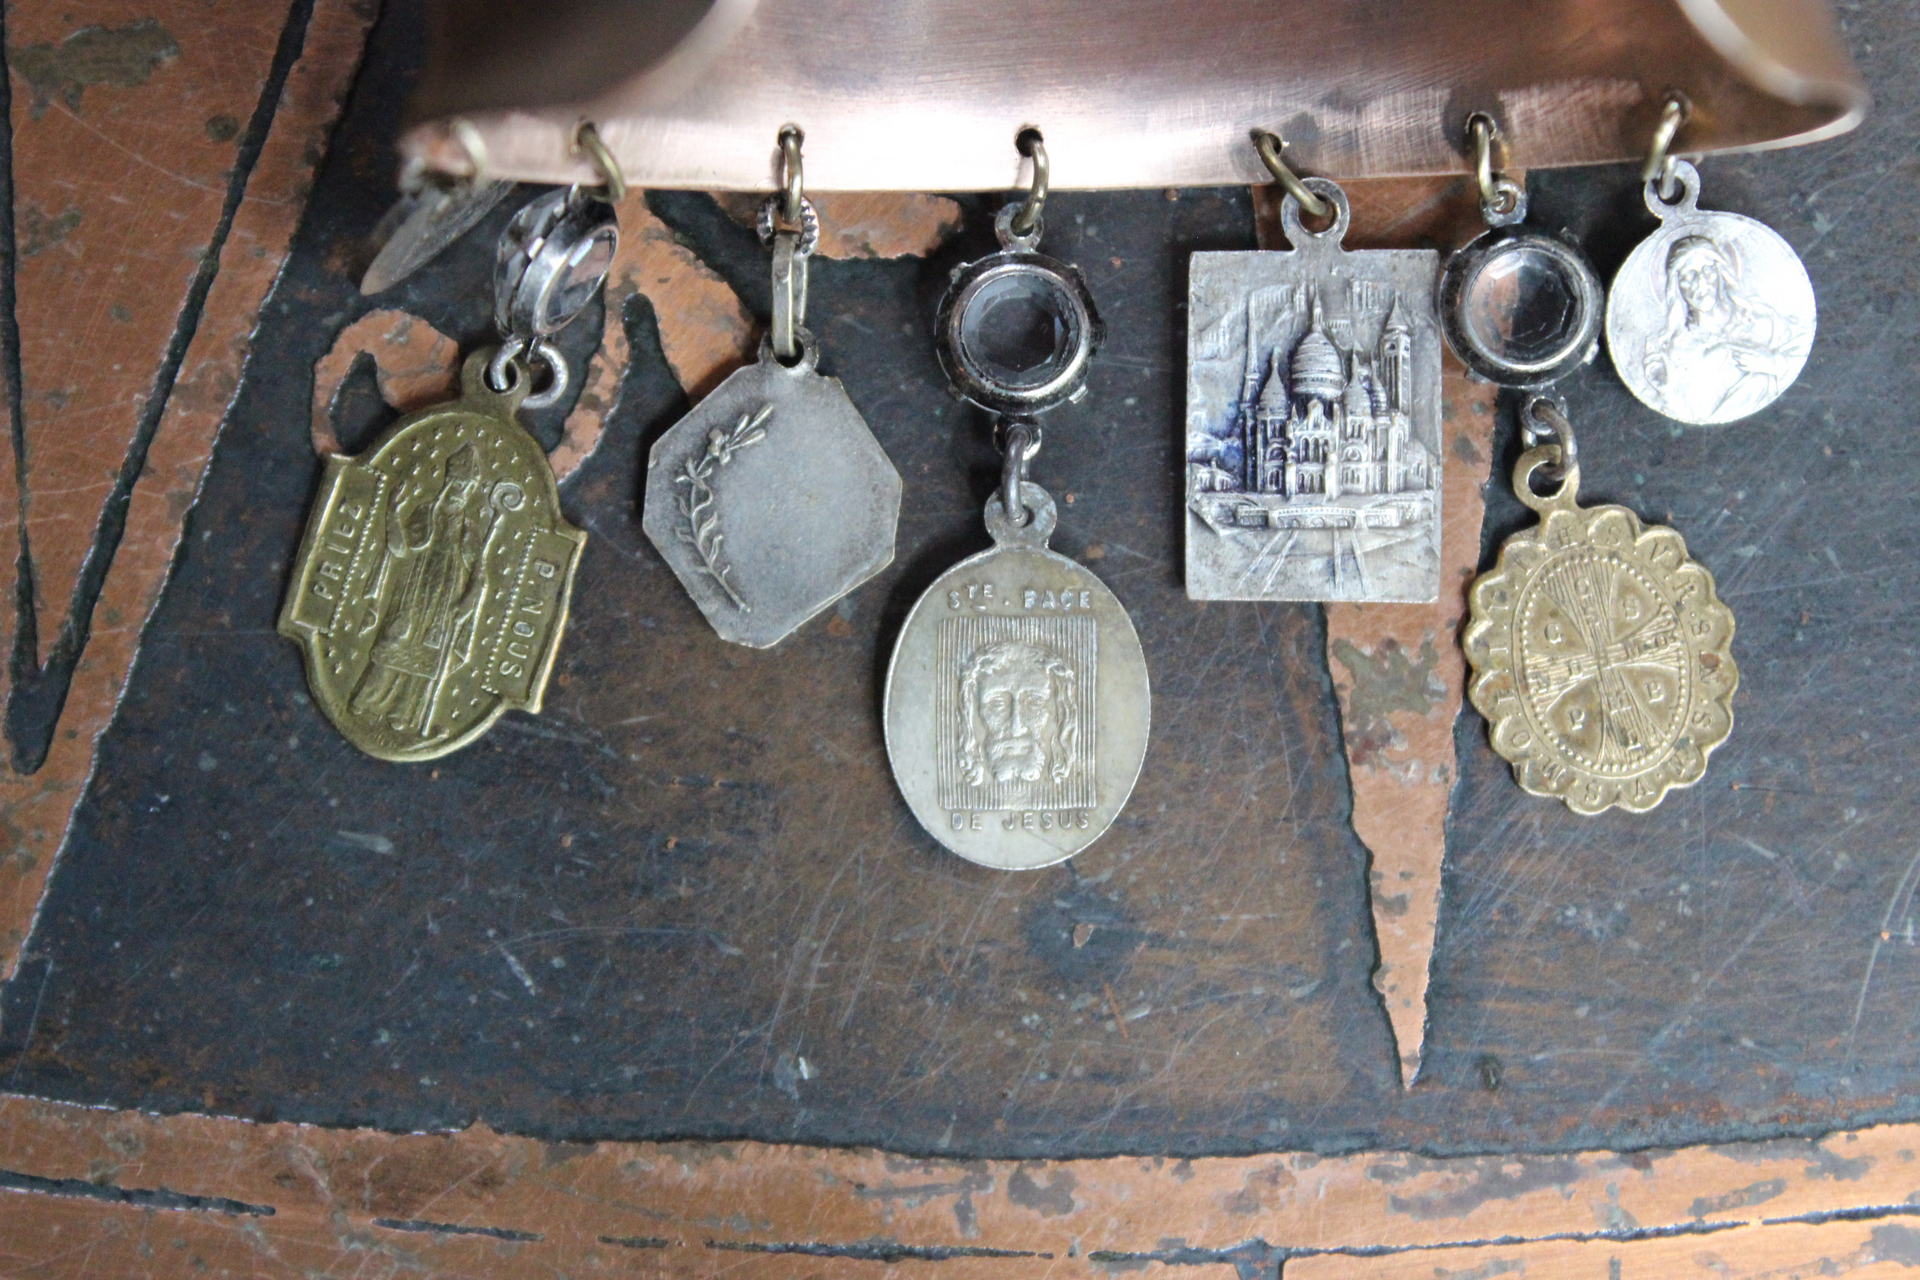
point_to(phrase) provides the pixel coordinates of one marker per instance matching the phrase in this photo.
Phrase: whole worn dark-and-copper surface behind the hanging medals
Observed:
(640, 914)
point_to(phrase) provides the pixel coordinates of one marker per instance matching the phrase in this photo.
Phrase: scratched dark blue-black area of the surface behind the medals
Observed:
(688, 903)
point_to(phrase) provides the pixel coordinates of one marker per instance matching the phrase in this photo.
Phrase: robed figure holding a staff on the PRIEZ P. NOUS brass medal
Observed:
(429, 617)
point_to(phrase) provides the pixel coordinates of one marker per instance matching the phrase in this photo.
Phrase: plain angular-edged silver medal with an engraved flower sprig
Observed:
(771, 500)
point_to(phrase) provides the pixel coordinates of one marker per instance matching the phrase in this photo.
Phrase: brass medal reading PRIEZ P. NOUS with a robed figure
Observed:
(433, 584)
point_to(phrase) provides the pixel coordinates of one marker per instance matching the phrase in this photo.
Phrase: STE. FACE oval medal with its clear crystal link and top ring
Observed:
(1019, 701)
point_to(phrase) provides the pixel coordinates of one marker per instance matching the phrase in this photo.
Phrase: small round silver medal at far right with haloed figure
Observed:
(1710, 318)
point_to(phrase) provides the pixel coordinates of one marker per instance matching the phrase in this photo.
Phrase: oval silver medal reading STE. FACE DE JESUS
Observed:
(1019, 701)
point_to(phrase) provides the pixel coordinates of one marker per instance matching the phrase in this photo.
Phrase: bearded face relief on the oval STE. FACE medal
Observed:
(1019, 713)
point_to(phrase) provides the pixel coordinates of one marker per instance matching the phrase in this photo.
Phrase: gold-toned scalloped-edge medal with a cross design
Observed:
(1600, 652)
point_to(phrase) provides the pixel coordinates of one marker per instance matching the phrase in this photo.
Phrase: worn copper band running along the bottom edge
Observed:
(120, 1195)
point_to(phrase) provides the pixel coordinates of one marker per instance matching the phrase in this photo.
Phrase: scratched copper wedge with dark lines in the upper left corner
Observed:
(158, 162)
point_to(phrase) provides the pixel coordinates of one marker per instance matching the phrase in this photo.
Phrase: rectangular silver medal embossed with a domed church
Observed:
(1314, 421)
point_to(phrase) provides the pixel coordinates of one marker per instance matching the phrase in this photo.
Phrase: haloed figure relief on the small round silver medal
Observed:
(1725, 352)
